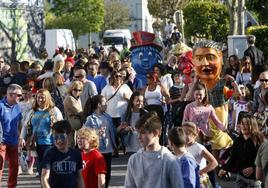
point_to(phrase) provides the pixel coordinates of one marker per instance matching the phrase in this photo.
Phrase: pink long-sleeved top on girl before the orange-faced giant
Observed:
(200, 116)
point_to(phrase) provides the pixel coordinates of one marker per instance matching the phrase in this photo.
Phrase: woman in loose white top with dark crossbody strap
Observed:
(117, 95)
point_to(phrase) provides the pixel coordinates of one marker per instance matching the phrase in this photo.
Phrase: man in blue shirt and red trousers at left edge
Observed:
(10, 118)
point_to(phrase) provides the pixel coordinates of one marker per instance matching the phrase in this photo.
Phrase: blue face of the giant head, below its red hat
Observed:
(143, 59)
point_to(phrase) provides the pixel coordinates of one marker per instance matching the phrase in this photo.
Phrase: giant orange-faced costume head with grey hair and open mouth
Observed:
(207, 60)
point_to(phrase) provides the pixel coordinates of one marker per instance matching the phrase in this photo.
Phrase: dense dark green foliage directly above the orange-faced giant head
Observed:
(206, 20)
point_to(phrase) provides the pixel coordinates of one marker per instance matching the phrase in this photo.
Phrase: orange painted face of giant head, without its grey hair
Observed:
(207, 63)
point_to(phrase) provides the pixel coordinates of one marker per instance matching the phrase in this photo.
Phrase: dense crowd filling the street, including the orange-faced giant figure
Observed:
(75, 112)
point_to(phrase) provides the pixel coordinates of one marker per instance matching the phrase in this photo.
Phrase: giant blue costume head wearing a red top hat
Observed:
(144, 54)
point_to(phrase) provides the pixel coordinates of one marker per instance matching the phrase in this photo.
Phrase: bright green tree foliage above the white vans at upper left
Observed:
(80, 16)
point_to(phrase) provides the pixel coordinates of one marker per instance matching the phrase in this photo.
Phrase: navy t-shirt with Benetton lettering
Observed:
(63, 167)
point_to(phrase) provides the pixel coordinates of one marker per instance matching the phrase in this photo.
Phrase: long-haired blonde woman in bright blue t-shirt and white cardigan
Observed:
(40, 120)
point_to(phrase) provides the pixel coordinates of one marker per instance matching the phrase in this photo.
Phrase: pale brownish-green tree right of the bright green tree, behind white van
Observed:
(116, 15)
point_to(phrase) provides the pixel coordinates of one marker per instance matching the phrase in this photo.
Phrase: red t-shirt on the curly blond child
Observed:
(93, 164)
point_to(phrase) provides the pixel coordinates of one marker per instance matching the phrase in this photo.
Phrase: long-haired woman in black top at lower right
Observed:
(244, 152)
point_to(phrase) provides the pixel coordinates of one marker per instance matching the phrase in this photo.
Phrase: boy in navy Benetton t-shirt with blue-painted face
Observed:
(62, 166)
